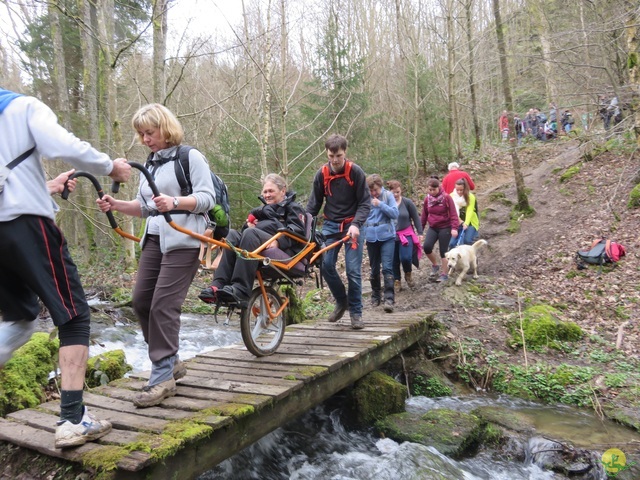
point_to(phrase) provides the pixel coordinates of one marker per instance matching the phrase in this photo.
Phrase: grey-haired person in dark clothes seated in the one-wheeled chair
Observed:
(234, 277)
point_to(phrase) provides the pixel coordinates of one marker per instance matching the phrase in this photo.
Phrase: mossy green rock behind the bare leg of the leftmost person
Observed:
(23, 378)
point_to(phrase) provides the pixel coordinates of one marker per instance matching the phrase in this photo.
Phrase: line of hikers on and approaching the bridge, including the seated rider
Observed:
(36, 265)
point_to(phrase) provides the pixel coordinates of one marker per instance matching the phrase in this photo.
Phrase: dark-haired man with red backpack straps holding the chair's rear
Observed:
(341, 185)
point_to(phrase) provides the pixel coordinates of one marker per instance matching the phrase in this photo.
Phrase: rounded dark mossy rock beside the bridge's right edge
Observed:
(375, 396)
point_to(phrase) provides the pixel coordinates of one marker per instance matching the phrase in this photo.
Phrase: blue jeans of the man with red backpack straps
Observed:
(353, 262)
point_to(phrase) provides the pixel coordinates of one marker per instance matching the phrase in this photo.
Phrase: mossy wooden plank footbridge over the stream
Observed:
(228, 400)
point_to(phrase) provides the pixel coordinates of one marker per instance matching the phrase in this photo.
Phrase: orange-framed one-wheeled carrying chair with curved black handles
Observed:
(262, 317)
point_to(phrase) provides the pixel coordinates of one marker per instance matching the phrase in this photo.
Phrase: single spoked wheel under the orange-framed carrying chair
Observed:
(260, 334)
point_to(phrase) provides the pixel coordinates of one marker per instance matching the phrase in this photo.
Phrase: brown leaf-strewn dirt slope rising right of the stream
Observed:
(531, 261)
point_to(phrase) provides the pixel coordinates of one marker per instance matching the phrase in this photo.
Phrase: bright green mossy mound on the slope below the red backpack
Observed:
(542, 327)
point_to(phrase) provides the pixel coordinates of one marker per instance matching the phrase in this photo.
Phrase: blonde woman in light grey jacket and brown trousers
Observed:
(169, 259)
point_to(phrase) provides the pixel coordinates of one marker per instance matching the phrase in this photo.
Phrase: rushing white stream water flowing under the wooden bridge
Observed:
(322, 445)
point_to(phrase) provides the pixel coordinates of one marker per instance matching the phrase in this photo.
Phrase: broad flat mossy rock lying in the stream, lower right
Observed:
(452, 433)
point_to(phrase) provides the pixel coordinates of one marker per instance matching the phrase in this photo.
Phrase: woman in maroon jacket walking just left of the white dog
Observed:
(439, 212)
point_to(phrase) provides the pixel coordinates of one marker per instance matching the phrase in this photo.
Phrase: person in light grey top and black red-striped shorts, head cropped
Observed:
(34, 259)
